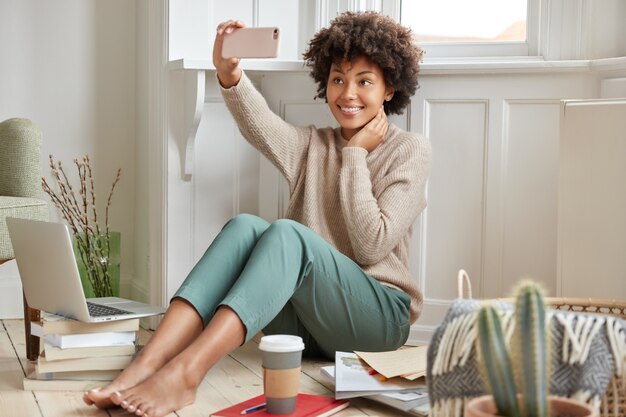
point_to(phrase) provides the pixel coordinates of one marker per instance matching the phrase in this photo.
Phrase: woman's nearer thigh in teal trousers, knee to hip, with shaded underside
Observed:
(338, 307)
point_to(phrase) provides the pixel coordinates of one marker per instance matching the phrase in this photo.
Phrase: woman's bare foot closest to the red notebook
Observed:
(169, 389)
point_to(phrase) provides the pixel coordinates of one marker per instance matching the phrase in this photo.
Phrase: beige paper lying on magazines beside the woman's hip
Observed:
(409, 363)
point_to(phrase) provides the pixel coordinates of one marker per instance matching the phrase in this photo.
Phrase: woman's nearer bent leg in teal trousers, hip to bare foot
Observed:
(288, 262)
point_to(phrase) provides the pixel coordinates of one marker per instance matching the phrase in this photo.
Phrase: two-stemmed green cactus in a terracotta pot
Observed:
(518, 377)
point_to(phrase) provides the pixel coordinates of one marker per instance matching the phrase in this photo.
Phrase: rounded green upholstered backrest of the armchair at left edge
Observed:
(20, 149)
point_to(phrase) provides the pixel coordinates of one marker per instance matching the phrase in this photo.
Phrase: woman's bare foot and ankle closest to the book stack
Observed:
(136, 372)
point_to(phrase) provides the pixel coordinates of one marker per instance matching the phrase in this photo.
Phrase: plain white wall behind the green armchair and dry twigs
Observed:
(69, 65)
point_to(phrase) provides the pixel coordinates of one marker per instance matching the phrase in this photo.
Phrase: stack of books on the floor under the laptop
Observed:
(78, 356)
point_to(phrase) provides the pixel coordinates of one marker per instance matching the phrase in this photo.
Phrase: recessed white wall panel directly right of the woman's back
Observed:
(454, 218)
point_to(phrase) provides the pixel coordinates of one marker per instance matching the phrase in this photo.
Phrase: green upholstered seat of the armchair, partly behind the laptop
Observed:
(25, 208)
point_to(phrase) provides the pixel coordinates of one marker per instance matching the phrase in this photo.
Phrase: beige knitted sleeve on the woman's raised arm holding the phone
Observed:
(283, 144)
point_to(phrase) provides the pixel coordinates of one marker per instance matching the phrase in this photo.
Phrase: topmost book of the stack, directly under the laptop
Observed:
(54, 324)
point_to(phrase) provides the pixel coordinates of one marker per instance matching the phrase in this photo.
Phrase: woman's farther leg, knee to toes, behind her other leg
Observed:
(192, 306)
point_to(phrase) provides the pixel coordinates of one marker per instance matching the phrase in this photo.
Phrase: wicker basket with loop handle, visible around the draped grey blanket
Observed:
(614, 401)
